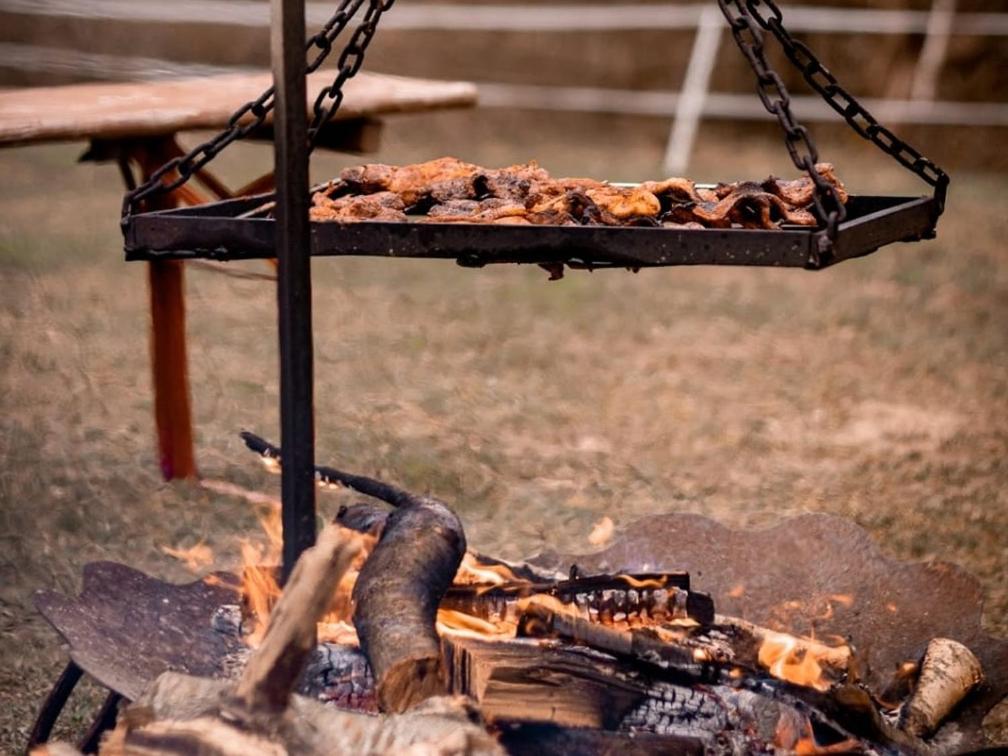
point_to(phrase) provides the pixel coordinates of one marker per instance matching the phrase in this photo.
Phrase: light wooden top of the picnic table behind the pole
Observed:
(108, 111)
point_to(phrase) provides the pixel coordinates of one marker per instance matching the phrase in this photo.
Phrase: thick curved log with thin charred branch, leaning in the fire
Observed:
(400, 587)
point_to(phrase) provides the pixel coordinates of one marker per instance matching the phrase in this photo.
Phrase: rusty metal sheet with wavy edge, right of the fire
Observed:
(819, 574)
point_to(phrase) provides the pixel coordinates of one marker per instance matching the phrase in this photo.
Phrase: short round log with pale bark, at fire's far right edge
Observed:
(949, 672)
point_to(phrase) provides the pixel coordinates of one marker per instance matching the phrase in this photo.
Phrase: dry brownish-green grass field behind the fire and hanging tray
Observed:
(877, 391)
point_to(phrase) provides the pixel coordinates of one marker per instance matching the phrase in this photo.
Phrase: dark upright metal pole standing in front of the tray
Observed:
(294, 280)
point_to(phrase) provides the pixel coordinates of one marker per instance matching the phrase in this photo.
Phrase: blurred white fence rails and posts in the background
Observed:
(687, 108)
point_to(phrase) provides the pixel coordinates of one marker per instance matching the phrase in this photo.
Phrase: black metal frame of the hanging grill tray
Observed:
(218, 231)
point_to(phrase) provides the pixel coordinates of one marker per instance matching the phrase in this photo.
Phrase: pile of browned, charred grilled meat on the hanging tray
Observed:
(451, 191)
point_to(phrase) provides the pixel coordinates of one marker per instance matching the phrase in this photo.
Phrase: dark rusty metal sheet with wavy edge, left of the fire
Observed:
(127, 628)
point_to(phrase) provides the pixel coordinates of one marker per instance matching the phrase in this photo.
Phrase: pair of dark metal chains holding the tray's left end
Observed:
(253, 115)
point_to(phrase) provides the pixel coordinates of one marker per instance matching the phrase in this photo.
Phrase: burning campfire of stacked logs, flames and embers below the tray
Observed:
(393, 614)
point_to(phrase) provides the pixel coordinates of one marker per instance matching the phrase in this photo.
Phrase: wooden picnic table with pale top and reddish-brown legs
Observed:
(136, 125)
